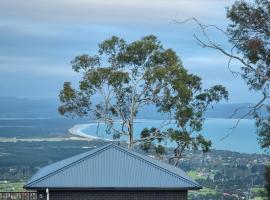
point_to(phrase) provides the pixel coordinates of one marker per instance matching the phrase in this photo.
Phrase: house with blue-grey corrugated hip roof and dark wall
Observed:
(111, 172)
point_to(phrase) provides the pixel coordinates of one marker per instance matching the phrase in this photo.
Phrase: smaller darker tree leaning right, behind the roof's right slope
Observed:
(189, 119)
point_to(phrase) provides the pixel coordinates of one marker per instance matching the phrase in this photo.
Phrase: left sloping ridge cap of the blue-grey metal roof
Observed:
(96, 151)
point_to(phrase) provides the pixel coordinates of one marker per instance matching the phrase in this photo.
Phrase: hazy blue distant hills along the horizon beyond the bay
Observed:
(12, 107)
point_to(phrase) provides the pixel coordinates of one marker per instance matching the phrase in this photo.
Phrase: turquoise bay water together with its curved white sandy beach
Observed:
(214, 128)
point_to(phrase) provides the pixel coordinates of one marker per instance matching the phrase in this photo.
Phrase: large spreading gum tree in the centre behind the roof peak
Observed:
(138, 74)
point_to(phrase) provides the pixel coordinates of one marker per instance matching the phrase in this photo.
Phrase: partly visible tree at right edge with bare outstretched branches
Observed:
(249, 35)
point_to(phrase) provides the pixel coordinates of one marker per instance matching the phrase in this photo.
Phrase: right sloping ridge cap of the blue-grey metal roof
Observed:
(149, 161)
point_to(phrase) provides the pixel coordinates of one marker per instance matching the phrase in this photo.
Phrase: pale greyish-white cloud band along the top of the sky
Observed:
(113, 11)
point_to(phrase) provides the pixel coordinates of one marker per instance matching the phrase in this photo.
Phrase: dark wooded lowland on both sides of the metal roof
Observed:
(221, 173)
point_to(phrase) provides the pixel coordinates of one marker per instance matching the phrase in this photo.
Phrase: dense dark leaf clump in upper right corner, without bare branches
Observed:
(249, 31)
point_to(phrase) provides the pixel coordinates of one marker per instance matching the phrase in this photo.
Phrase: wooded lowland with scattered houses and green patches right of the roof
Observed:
(226, 175)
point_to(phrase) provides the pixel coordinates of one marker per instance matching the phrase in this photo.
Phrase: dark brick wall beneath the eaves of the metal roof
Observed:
(113, 195)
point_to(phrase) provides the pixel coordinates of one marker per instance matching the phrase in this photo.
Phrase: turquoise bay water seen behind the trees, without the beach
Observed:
(241, 139)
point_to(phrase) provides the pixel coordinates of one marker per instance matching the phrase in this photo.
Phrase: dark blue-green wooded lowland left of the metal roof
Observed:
(20, 160)
